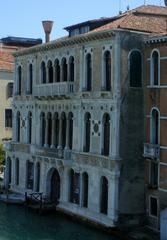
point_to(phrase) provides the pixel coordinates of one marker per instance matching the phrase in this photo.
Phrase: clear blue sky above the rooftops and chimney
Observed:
(23, 18)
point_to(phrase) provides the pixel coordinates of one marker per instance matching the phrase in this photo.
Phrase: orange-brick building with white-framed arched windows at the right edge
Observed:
(155, 148)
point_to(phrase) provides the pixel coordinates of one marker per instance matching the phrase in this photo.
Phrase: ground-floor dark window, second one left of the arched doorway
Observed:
(30, 175)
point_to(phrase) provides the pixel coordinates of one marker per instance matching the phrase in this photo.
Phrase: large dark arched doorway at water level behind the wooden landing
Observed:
(54, 186)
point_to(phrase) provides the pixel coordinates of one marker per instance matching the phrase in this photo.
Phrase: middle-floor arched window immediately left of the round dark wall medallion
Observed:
(87, 129)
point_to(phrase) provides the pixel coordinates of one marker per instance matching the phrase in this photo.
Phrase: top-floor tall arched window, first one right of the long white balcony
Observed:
(88, 72)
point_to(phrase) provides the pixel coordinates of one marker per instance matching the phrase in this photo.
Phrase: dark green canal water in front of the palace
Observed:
(17, 223)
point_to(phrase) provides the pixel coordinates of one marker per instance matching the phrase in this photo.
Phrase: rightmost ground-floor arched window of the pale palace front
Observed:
(104, 195)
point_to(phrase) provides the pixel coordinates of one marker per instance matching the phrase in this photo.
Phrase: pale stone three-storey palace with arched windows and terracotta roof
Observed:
(78, 117)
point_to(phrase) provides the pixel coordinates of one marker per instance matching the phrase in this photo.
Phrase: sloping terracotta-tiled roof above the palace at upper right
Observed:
(151, 19)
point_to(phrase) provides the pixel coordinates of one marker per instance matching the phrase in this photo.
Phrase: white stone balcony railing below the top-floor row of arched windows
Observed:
(53, 89)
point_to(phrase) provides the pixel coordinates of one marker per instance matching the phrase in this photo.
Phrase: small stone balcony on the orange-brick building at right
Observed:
(151, 150)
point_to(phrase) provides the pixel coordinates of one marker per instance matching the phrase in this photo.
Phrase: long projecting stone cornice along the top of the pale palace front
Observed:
(65, 42)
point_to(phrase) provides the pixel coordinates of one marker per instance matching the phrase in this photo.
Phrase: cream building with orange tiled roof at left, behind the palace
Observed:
(8, 46)
